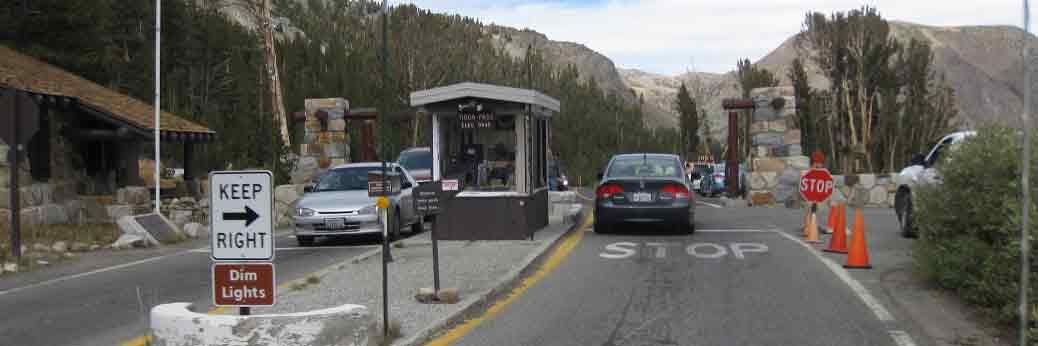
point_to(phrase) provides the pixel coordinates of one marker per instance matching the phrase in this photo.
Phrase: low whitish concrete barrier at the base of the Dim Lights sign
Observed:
(177, 325)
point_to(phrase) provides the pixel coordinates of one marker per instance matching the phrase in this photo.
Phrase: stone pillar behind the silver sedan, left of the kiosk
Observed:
(325, 142)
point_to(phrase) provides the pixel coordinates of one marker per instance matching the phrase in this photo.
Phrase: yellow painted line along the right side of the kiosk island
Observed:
(557, 258)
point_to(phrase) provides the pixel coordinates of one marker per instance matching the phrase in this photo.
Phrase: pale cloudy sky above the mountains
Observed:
(671, 37)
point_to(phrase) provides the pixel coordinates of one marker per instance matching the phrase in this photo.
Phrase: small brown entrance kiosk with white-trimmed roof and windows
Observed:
(495, 142)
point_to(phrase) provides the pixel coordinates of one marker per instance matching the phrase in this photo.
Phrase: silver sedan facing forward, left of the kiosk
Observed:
(339, 205)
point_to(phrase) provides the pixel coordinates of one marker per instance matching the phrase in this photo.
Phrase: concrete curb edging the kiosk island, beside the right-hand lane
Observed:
(475, 306)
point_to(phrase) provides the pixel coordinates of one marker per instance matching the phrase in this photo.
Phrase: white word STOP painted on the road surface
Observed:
(708, 251)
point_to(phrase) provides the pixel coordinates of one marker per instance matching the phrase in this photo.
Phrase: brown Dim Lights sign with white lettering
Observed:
(244, 284)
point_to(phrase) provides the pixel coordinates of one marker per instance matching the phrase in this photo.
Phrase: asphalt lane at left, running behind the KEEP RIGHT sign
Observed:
(111, 304)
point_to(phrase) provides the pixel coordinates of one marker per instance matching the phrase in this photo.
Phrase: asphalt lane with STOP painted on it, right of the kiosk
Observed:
(743, 279)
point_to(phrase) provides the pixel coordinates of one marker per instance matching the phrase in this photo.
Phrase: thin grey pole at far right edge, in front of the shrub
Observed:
(1026, 180)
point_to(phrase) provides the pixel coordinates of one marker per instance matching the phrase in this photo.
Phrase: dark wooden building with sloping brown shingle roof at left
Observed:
(91, 134)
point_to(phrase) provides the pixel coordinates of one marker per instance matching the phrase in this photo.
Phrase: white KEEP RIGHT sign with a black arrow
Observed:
(241, 216)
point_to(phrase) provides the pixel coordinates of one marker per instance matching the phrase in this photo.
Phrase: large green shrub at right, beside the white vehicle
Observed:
(970, 225)
